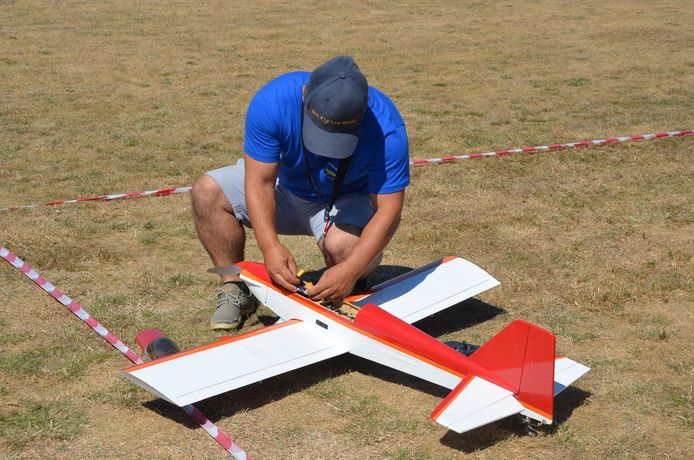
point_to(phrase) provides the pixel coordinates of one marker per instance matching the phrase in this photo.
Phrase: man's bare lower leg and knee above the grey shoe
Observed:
(220, 233)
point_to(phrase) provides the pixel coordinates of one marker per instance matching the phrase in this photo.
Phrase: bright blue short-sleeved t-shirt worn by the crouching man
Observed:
(379, 165)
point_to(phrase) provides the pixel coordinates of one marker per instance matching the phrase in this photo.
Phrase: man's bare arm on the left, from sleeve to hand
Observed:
(259, 185)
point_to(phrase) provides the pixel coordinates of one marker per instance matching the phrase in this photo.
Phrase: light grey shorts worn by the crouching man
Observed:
(294, 215)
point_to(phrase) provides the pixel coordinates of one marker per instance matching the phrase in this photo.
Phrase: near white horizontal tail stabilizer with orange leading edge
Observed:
(473, 403)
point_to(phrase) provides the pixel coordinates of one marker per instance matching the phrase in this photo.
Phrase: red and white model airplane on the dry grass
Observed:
(516, 372)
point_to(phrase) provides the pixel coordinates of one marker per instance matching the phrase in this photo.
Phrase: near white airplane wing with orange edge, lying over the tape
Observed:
(189, 376)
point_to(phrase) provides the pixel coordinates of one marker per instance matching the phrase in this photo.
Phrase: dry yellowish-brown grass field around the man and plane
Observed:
(595, 244)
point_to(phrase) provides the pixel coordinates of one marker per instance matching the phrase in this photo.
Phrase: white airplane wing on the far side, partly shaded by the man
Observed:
(429, 289)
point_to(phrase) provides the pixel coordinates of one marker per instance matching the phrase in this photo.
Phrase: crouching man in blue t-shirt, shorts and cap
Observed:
(325, 155)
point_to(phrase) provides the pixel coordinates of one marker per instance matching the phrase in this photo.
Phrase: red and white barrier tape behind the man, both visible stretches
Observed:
(449, 159)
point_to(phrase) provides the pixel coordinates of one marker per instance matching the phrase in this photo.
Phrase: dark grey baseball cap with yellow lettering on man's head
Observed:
(335, 101)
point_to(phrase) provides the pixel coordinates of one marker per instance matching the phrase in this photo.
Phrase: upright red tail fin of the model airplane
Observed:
(523, 355)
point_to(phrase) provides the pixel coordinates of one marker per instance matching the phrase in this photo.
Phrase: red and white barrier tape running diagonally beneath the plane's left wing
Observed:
(212, 429)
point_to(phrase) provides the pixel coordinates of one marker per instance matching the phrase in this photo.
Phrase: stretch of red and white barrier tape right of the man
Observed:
(547, 148)
